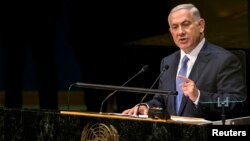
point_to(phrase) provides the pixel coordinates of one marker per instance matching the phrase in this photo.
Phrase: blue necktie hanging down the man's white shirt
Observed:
(183, 71)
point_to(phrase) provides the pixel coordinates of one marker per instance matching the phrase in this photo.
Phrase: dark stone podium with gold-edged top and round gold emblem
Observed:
(28, 124)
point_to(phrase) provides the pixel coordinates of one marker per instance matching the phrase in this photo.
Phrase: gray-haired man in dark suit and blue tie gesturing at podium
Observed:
(212, 72)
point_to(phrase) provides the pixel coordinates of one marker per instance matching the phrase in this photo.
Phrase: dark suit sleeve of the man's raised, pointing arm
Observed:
(229, 84)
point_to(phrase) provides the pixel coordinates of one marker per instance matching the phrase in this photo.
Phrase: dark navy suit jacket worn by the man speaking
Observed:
(216, 73)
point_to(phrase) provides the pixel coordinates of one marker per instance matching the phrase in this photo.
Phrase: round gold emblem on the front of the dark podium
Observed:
(99, 132)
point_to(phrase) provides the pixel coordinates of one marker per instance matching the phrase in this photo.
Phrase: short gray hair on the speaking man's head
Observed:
(191, 7)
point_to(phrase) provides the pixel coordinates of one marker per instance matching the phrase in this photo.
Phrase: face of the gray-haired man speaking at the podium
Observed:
(186, 31)
